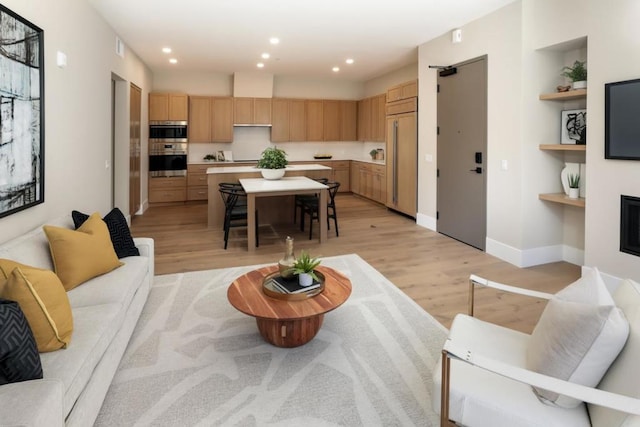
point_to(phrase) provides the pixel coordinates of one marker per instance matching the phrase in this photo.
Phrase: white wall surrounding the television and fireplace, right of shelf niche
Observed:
(614, 39)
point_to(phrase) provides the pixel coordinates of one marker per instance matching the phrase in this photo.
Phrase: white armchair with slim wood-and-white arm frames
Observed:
(484, 381)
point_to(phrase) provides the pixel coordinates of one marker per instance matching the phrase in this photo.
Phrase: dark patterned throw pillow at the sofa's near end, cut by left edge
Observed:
(19, 357)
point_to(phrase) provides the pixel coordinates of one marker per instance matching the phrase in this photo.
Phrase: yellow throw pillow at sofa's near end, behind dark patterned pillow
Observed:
(43, 301)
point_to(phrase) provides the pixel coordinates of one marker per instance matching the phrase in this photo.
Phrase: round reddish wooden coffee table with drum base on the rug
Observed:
(287, 323)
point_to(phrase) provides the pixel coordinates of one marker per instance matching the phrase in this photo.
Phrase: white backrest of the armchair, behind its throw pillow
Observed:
(623, 376)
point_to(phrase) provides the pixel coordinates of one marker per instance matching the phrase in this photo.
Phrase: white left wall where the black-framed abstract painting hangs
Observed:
(77, 111)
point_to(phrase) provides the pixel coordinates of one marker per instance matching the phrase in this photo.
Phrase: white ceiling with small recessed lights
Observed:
(226, 36)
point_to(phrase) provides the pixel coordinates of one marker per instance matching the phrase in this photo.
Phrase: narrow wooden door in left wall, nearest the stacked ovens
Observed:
(135, 115)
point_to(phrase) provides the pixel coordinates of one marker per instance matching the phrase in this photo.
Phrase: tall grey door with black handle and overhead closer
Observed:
(462, 153)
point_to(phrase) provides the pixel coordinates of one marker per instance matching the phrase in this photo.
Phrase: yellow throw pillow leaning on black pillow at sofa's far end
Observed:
(82, 254)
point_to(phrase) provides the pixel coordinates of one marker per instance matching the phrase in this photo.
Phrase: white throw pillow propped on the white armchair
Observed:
(578, 336)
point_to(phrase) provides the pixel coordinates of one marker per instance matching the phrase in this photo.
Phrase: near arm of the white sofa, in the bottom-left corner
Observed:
(32, 403)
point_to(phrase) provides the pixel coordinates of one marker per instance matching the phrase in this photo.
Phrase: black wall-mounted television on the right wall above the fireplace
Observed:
(622, 120)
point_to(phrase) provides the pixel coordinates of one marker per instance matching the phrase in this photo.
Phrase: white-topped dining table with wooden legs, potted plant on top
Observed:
(288, 185)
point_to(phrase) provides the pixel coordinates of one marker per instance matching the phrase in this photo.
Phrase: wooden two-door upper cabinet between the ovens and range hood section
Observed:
(211, 119)
